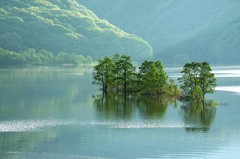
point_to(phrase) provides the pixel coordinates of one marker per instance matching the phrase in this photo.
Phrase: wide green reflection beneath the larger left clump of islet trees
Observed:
(118, 107)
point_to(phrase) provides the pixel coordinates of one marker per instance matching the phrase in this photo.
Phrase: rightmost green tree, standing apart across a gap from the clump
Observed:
(197, 80)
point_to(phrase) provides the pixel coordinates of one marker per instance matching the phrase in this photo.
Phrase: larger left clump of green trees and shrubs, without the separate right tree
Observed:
(119, 75)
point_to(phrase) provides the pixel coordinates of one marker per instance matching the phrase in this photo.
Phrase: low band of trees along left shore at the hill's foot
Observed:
(42, 57)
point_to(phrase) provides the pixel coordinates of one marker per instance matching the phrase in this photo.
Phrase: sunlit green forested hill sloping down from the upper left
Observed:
(64, 26)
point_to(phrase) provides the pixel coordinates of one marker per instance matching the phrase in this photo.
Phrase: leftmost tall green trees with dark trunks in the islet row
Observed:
(115, 74)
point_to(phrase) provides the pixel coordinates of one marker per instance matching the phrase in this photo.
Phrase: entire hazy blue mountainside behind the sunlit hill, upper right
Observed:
(179, 30)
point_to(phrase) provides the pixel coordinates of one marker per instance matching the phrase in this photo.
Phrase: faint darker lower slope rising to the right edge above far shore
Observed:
(218, 45)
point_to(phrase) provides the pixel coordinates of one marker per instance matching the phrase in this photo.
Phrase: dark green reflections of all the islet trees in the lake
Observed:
(197, 116)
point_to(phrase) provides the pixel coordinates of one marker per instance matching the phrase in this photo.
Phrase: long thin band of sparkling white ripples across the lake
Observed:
(41, 125)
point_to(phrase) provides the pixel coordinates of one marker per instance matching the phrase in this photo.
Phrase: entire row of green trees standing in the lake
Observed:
(119, 75)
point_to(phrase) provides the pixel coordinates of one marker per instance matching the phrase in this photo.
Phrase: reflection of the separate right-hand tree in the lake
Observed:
(198, 115)
